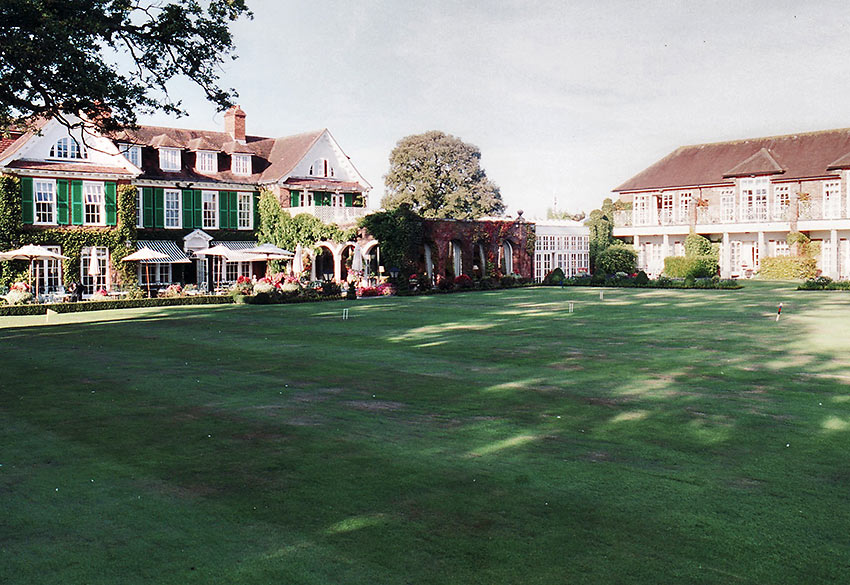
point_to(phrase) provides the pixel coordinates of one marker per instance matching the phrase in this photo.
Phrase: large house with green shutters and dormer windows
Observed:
(196, 189)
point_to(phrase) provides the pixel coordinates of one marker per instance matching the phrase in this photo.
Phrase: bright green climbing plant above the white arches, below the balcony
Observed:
(285, 231)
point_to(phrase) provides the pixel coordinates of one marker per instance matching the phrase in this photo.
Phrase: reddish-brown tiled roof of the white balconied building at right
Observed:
(811, 154)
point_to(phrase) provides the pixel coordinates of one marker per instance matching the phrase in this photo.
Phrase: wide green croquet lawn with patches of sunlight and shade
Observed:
(651, 437)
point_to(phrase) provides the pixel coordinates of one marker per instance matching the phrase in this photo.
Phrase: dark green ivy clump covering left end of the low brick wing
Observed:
(400, 232)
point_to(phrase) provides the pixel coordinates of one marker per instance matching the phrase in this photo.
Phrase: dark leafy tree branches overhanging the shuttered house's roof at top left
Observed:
(61, 57)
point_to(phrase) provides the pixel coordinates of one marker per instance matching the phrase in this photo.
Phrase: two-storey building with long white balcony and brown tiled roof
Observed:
(747, 195)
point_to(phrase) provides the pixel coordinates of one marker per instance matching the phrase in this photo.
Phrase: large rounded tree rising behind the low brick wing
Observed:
(440, 176)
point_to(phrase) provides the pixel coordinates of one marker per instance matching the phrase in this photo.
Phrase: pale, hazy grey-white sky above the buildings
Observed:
(565, 100)
